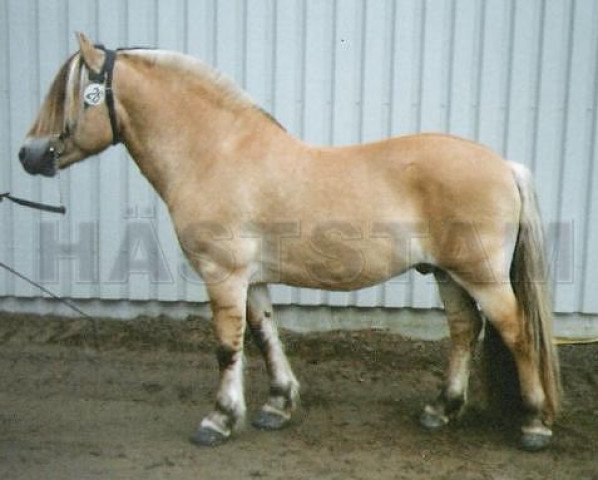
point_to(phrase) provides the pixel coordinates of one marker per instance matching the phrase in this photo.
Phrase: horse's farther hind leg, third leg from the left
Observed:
(465, 323)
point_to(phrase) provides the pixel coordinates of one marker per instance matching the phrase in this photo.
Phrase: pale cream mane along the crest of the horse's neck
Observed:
(218, 86)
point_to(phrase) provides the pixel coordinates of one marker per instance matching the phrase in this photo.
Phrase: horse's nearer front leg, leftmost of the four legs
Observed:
(228, 301)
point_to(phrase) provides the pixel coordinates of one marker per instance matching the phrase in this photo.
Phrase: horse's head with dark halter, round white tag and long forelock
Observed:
(75, 119)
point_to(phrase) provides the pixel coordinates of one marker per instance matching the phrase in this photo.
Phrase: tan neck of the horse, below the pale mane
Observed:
(173, 133)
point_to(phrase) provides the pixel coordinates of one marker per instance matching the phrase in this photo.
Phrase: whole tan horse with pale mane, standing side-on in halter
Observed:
(253, 205)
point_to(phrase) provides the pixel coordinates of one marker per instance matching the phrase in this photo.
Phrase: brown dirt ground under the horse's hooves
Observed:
(127, 410)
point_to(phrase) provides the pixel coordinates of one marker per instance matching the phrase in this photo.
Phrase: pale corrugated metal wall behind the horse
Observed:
(519, 76)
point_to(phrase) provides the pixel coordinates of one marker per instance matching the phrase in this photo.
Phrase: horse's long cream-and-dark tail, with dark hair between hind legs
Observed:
(529, 278)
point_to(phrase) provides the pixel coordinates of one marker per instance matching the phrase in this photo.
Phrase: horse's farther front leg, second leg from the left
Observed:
(284, 388)
